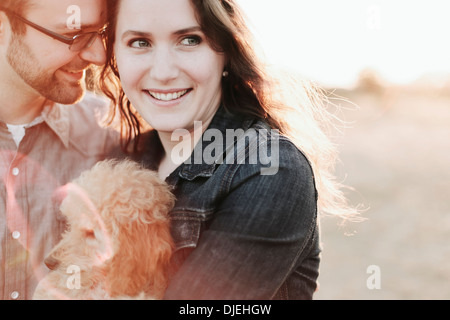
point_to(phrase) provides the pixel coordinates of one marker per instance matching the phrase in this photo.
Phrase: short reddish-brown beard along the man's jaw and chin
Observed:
(45, 83)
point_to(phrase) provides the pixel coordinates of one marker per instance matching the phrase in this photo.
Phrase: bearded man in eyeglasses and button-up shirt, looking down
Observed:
(49, 126)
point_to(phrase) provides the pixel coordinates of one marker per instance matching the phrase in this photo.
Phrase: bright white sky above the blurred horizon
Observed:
(330, 41)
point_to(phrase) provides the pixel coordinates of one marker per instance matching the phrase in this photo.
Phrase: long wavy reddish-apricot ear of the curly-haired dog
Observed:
(142, 260)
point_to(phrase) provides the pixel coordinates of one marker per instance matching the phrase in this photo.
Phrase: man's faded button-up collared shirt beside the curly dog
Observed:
(56, 148)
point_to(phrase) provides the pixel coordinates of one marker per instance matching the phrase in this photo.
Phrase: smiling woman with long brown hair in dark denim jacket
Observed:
(244, 228)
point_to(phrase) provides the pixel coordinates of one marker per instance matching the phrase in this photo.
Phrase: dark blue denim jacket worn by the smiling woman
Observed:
(242, 232)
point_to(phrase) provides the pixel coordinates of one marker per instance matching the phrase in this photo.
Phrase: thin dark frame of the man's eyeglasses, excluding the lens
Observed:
(67, 40)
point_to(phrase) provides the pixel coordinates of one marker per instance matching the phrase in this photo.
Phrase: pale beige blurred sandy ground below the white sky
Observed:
(396, 154)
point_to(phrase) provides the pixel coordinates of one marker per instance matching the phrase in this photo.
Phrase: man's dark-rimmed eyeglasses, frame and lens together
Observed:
(77, 43)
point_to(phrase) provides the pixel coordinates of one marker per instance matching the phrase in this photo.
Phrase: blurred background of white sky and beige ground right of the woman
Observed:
(389, 61)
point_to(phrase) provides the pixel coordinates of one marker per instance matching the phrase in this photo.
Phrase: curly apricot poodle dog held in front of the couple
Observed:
(118, 244)
